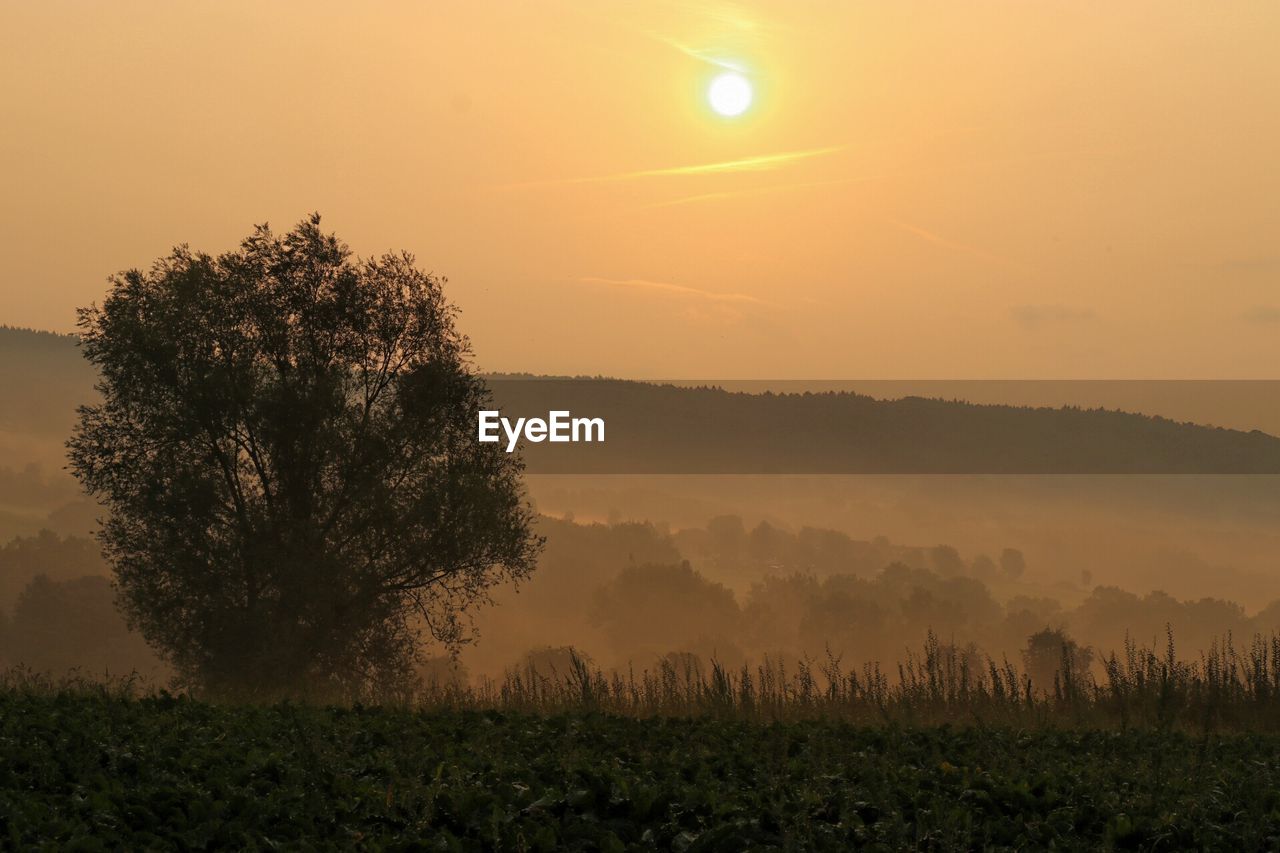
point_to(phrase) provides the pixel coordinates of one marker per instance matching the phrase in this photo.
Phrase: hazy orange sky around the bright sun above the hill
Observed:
(920, 190)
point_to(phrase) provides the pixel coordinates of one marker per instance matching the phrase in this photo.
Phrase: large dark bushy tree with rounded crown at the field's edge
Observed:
(286, 449)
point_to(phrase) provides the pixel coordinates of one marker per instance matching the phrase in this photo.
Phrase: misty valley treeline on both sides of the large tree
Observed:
(633, 595)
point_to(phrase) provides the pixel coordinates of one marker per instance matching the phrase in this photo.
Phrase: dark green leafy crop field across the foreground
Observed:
(99, 770)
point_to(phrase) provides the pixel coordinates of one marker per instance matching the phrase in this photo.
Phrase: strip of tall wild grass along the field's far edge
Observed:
(1229, 688)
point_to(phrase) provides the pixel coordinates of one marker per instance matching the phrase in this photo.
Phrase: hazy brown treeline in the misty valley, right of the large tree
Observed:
(632, 594)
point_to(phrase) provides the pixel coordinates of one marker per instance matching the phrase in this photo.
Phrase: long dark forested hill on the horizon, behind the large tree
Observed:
(662, 428)
